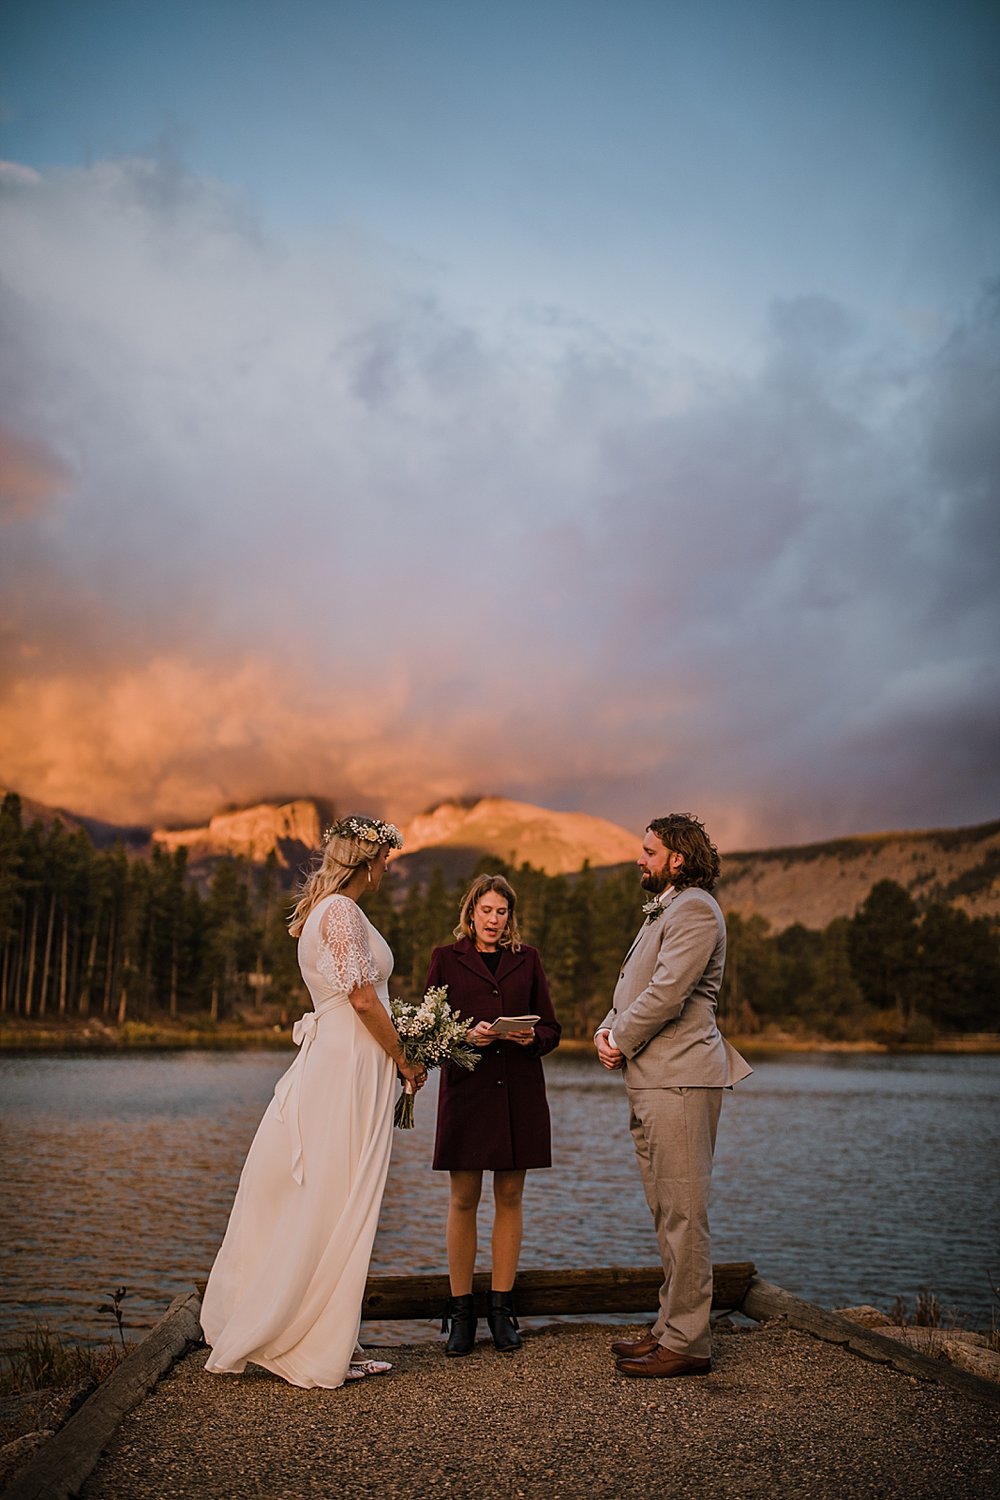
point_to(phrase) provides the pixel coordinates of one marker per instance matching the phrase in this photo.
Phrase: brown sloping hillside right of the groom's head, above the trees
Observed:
(813, 884)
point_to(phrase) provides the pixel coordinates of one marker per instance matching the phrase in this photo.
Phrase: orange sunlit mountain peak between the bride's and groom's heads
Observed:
(519, 833)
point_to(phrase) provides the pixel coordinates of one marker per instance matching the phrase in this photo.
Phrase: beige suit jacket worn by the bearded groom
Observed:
(663, 1010)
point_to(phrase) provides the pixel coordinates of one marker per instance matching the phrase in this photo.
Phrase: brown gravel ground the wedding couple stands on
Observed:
(782, 1414)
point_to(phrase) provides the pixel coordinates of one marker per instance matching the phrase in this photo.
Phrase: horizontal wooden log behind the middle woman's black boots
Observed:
(603, 1289)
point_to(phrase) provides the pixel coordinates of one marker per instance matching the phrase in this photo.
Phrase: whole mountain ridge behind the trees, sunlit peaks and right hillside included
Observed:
(809, 884)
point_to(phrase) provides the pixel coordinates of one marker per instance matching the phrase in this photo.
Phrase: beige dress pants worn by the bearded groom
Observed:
(674, 1133)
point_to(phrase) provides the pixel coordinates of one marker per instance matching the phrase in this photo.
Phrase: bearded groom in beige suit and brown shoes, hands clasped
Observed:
(662, 1033)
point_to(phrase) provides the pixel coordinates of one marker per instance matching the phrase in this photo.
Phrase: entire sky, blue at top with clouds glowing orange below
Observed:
(594, 403)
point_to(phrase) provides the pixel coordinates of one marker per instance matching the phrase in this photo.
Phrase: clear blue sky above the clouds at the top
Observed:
(665, 169)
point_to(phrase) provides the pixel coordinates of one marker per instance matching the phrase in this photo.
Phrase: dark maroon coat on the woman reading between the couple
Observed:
(496, 1117)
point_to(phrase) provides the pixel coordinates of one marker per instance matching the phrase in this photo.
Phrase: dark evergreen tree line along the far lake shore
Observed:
(95, 932)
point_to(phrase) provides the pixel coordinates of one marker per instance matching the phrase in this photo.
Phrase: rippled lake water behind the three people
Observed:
(846, 1180)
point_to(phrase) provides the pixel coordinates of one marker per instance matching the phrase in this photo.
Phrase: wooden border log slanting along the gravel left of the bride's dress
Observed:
(61, 1468)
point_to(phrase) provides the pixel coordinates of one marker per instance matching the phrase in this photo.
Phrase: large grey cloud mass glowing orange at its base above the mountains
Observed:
(286, 521)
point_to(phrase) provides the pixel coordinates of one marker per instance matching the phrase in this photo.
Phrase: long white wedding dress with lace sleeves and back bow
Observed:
(287, 1286)
